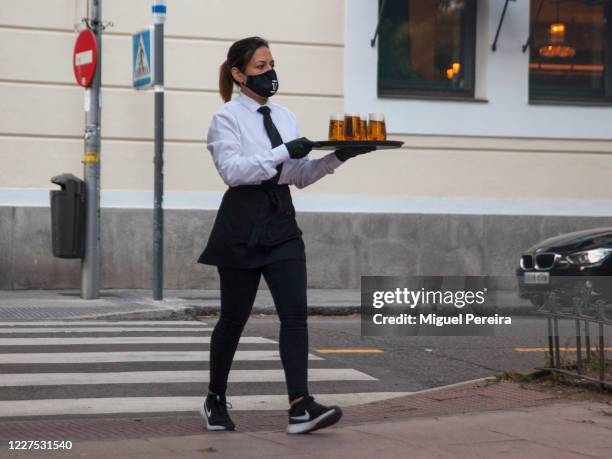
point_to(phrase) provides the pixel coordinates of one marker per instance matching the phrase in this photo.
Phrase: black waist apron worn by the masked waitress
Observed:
(255, 225)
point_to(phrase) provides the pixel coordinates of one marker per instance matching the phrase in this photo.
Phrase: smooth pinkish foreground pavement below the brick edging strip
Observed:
(570, 430)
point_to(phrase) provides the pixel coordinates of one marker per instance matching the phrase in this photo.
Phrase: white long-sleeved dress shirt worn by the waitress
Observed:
(242, 151)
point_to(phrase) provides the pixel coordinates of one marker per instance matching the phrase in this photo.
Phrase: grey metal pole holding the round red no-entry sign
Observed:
(90, 264)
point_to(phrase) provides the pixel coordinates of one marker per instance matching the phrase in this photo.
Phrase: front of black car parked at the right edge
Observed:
(569, 265)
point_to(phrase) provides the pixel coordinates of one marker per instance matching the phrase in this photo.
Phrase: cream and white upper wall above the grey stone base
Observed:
(42, 118)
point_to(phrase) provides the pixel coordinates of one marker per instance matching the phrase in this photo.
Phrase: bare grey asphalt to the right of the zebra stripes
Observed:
(411, 363)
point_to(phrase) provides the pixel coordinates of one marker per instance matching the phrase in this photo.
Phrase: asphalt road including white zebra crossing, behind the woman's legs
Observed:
(55, 370)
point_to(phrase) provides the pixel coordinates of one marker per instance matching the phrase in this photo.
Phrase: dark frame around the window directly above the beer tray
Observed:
(469, 66)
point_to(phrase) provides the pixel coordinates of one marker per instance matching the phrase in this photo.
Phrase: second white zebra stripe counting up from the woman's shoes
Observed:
(159, 377)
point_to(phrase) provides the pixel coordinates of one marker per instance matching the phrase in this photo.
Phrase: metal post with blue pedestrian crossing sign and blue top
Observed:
(148, 71)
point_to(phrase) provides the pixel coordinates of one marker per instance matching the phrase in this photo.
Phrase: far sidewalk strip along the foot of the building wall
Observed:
(177, 304)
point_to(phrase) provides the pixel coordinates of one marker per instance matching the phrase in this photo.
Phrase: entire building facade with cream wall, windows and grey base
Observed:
(501, 148)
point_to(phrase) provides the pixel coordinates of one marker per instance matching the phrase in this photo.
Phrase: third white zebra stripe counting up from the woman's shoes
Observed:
(151, 356)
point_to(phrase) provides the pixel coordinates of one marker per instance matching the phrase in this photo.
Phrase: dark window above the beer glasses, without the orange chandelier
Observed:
(426, 48)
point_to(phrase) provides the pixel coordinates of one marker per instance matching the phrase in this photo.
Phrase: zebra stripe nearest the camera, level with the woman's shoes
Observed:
(116, 405)
